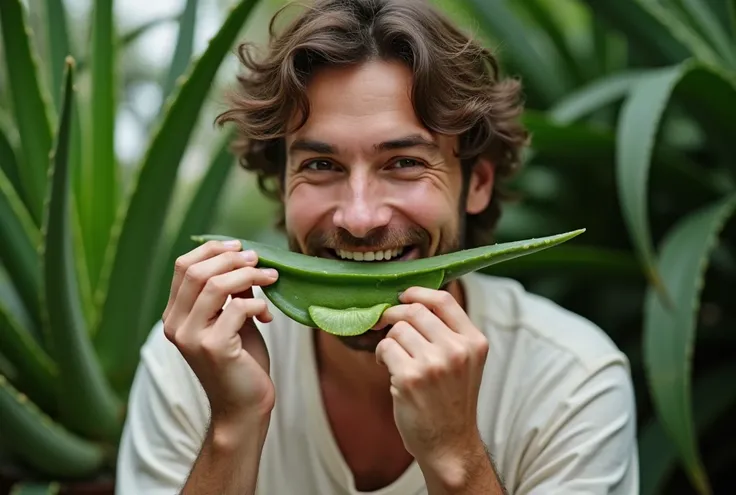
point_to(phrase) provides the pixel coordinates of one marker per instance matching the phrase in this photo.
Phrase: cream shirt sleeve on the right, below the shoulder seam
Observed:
(588, 445)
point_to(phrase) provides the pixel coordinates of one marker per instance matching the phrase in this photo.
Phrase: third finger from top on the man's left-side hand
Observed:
(219, 287)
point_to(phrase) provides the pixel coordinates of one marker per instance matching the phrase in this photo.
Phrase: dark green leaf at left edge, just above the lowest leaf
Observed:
(37, 370)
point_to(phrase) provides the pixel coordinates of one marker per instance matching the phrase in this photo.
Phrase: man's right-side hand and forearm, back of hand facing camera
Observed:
(435, 356)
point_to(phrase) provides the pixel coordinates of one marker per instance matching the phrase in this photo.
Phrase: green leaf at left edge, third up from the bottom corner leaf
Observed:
(19, 241)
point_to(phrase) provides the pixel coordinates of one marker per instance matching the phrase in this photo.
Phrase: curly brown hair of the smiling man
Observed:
(456, 88)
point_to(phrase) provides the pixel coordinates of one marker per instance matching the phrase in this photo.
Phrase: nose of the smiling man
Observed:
(362, 208)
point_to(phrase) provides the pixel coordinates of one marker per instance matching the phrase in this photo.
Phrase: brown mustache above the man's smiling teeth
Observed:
(383, 238)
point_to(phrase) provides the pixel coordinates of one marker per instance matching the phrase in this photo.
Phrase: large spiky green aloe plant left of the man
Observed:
(76, 250)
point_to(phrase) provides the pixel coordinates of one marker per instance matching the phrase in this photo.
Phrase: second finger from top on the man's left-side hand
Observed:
(199, 274)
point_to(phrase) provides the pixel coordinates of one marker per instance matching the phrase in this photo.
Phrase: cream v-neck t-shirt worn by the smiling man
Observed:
(556, 408)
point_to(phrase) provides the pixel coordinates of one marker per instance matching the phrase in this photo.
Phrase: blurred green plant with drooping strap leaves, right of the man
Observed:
(632, 120)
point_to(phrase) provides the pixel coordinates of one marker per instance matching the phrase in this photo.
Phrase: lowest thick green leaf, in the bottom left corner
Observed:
(41, 443)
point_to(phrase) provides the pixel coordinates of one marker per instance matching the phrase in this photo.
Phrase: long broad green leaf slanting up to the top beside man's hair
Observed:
(138, 228)
